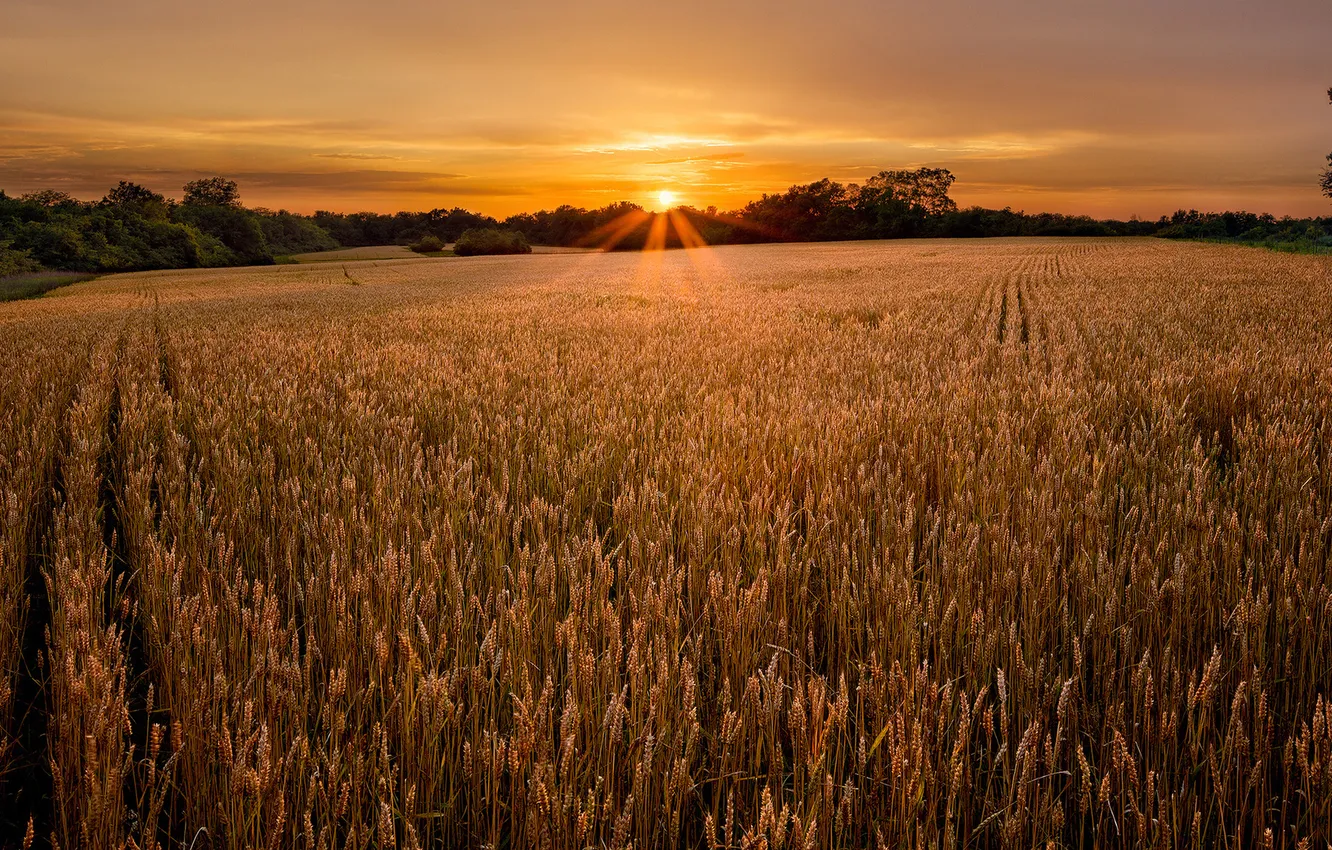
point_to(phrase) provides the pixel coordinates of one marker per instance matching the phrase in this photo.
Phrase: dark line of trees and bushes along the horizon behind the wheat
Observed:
(135, 228)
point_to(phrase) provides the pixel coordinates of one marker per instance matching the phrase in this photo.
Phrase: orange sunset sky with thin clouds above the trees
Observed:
(1136, 107)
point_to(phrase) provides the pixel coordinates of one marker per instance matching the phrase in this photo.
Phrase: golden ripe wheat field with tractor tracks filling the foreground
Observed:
(1014, 543)
